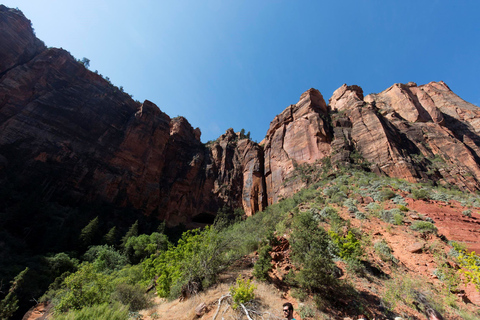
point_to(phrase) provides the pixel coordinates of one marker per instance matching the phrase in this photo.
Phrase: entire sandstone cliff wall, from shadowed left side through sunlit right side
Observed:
(72, 137)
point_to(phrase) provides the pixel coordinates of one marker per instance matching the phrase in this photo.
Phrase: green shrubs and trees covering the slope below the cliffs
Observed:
(107, 269)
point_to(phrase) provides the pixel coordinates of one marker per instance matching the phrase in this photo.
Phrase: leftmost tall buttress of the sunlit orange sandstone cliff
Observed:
(298, 135)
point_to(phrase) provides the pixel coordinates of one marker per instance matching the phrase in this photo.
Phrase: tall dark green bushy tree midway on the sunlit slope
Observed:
(310, 253)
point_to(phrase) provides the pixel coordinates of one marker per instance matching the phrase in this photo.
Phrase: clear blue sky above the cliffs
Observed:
(237, 64)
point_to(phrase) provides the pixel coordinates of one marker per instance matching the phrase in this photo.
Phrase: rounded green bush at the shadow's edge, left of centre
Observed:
(142, 246)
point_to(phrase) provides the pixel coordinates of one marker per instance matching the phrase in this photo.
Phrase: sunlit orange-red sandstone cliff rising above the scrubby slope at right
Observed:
(417, 133)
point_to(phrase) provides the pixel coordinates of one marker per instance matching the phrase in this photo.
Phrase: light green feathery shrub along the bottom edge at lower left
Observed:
(105, 311)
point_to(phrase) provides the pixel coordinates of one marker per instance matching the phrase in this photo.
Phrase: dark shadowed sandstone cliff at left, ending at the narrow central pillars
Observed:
(71, 134)
